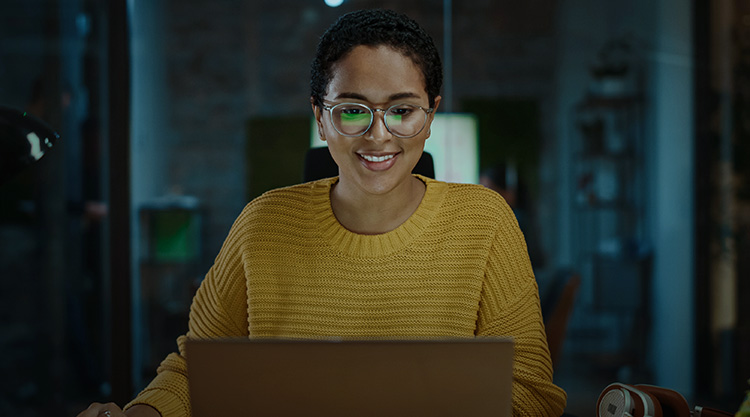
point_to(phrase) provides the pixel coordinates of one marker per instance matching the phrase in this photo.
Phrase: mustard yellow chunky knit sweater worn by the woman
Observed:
(457, 267)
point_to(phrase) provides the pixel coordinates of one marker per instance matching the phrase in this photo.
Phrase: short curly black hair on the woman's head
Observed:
(374, 28)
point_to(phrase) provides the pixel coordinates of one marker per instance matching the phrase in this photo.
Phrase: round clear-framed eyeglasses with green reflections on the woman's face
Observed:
(355, 119)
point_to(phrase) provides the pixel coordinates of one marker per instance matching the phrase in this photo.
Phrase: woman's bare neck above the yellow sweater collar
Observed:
(375, 214)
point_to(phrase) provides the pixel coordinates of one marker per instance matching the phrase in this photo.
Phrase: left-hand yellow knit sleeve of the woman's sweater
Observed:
(218, 310)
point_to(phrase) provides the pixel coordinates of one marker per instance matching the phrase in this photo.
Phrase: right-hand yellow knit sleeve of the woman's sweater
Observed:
(509, 306)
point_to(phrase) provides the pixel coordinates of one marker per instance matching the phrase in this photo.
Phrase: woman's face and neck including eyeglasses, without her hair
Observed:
(376, 191)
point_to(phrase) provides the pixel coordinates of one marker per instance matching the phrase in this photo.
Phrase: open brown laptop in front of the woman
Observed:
(456, 377)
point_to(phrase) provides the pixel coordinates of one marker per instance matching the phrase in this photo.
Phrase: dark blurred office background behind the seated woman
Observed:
(625, 126)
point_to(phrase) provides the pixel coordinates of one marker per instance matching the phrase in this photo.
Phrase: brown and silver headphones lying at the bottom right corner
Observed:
(623, 400)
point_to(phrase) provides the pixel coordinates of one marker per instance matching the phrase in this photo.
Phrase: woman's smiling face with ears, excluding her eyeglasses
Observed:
(377, 162)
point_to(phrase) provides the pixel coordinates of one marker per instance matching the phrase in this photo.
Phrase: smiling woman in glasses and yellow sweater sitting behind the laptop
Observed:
(376, 251)
